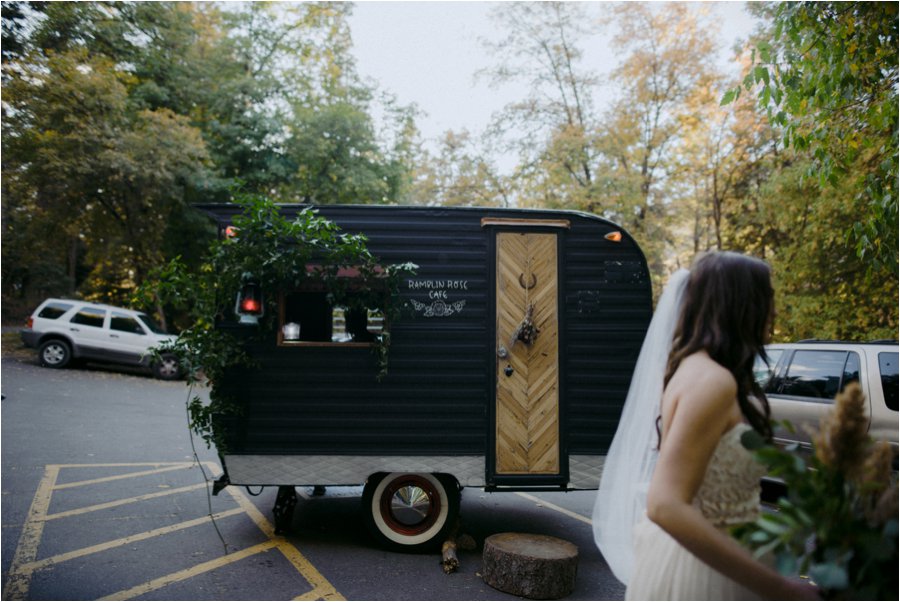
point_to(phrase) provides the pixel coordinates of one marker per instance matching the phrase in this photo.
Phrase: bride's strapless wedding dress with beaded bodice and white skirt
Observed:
(728, 496)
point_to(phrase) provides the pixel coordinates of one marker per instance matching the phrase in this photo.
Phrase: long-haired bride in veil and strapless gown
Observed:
(677, 477)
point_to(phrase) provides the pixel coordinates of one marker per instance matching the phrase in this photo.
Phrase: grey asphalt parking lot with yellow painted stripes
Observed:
(103, 499)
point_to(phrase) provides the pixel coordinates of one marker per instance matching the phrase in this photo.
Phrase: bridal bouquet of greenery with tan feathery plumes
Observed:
(838, 522)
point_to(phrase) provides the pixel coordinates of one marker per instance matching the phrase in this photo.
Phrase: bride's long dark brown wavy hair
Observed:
(727, 311)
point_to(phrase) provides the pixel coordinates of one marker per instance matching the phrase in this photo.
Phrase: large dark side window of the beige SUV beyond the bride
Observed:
(819, 374)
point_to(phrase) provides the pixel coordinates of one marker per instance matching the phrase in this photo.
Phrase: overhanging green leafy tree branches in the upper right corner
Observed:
(828, 76)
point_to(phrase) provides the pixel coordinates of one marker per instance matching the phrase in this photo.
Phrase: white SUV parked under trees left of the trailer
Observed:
(63, 330)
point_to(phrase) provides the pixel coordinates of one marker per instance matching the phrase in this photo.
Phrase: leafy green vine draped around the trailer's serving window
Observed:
(277, 254)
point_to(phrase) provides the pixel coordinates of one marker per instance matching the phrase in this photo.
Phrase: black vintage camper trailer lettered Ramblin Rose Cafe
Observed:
(508, 367)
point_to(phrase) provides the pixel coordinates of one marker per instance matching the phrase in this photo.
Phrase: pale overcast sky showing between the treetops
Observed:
(427, 53)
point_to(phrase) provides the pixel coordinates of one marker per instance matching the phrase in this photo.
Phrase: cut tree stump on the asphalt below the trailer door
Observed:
(534, 566)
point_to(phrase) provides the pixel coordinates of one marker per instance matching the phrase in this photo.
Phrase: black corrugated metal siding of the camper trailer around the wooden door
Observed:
(436, 397)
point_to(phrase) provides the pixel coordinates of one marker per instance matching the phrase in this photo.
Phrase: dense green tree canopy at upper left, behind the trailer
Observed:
(119, 115)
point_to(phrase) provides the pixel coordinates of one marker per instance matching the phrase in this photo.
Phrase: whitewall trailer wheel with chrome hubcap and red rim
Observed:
(410, 512)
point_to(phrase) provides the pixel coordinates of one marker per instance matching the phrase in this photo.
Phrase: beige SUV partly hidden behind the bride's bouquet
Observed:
(804, 378)
